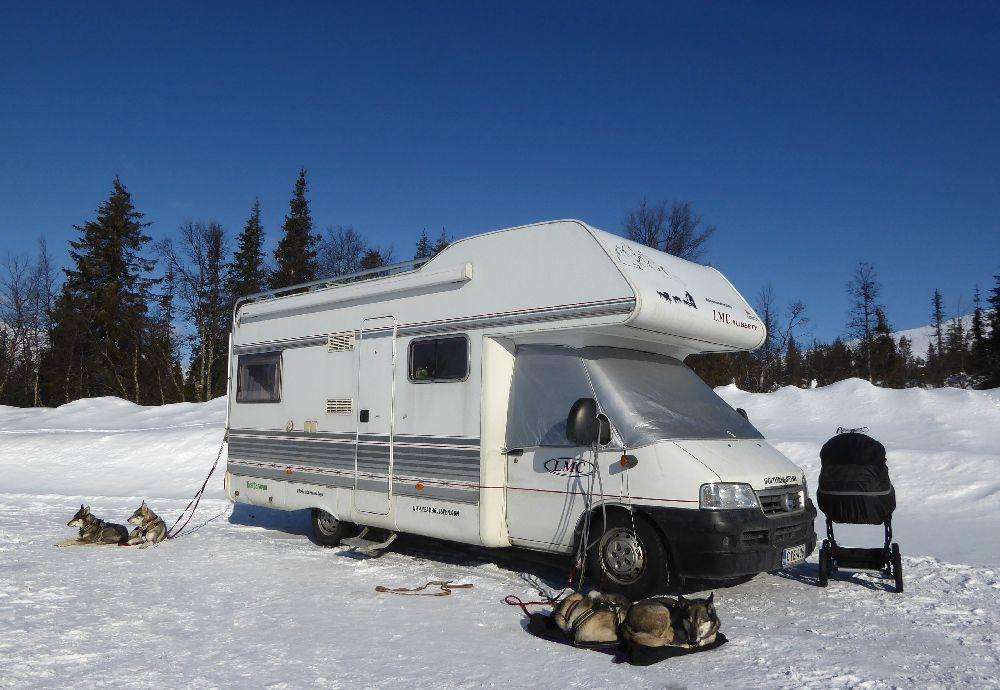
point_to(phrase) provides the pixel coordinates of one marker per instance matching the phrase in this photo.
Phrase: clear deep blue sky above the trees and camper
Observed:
(813, 136)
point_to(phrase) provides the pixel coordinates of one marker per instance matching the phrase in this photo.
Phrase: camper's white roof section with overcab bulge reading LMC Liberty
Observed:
(545, 276)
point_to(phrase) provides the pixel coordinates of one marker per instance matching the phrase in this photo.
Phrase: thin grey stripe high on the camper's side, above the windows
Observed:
(609, 307)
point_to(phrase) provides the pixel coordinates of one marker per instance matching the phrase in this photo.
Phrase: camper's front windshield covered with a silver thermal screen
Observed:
(653, 398)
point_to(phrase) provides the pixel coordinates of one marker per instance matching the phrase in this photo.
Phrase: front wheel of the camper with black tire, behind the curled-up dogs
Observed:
(626, 556)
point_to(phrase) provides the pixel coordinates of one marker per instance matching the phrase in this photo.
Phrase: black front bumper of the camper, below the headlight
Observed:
(722, 544)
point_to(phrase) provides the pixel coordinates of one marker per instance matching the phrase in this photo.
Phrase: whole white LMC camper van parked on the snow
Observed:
(503, 392)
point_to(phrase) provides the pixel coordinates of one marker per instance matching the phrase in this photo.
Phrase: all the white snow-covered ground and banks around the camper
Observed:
(244, 598)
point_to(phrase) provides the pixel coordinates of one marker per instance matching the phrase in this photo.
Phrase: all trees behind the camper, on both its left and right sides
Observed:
(149, 321)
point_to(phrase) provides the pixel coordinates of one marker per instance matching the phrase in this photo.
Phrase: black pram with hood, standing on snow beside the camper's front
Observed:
(854, 488)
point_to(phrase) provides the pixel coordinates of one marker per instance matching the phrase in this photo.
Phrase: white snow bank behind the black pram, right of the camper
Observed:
(943, 448)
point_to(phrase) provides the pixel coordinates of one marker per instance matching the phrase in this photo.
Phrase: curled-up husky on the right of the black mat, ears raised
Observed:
(680, 622)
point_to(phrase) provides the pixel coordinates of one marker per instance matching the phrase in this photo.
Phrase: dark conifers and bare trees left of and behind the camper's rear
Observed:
(149, 321)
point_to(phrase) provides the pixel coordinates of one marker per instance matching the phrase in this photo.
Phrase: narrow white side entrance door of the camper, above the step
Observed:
(375, 420)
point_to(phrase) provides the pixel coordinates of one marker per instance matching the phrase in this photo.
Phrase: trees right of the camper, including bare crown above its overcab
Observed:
(957, 355)
